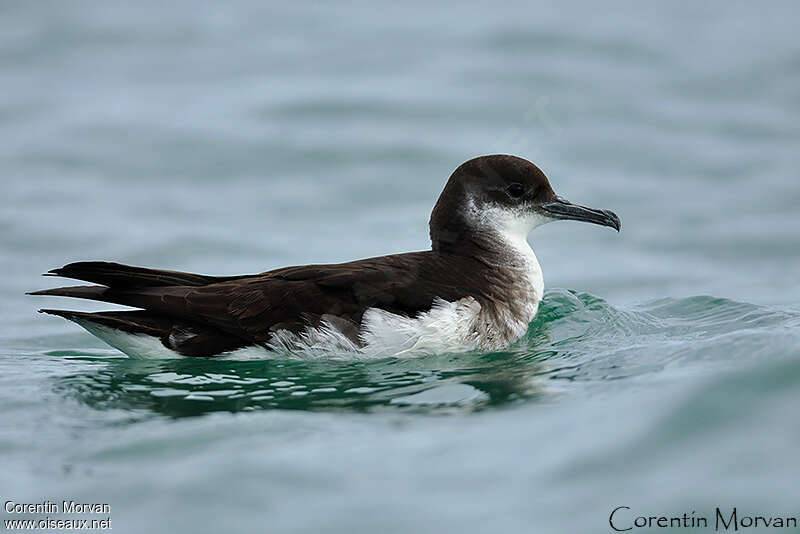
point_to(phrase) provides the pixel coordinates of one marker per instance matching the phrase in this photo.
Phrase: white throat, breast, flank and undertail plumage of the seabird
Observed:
(447, 327)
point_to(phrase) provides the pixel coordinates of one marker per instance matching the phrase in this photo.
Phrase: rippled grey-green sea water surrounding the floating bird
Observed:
(662, 372)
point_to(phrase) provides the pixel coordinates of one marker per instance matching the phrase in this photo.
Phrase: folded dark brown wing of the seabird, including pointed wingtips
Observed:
(253, 307)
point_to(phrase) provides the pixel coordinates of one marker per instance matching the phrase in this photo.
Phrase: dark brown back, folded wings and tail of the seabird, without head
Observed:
(200, 314)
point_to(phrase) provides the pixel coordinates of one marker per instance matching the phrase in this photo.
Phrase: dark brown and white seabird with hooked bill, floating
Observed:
(478, 287)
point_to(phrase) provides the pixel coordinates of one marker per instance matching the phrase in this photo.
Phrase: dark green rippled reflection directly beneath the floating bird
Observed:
(179, 388)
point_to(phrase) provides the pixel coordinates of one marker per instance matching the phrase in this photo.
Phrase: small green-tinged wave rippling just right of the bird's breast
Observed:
(606, 342)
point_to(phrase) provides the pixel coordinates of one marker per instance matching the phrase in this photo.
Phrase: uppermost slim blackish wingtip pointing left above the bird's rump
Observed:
(121, 276)
